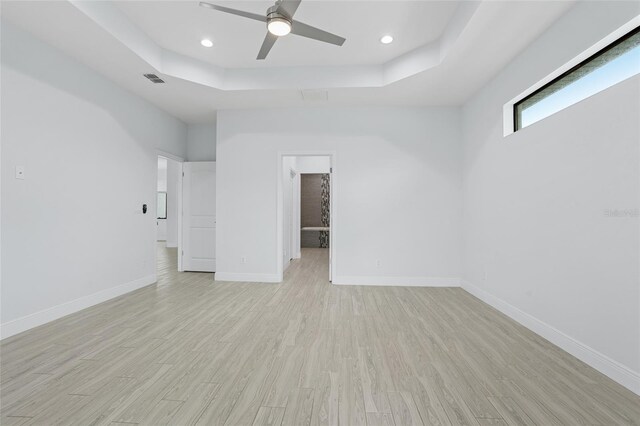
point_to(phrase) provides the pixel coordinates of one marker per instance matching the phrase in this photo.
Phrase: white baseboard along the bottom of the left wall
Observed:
(30, 321)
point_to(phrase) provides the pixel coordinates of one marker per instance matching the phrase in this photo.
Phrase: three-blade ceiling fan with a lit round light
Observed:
(280, 22)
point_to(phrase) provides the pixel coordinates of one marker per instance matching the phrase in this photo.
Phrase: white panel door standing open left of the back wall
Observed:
(199, 217)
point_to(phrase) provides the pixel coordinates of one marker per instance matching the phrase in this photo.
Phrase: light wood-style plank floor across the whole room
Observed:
(192, 351)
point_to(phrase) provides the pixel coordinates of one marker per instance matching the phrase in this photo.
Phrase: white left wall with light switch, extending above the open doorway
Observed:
(72, 231)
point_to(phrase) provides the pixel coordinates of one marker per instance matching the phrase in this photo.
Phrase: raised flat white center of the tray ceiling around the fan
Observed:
(180, 25)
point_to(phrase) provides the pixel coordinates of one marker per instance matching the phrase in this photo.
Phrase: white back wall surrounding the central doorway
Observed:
(397, 179)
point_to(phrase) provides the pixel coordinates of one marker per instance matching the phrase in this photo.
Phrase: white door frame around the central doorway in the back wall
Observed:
(333, 211)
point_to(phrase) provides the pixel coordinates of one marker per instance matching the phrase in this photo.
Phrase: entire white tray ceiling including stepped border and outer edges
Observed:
(446, 63)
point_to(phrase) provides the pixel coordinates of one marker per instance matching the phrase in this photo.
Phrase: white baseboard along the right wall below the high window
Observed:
(607, 366)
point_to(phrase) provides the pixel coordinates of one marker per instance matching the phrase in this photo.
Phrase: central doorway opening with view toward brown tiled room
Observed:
(306, 208)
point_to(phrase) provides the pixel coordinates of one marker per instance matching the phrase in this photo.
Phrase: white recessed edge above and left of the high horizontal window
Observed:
(507, 109)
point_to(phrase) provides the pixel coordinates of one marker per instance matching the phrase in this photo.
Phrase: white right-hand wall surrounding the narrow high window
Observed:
(538, 244)
